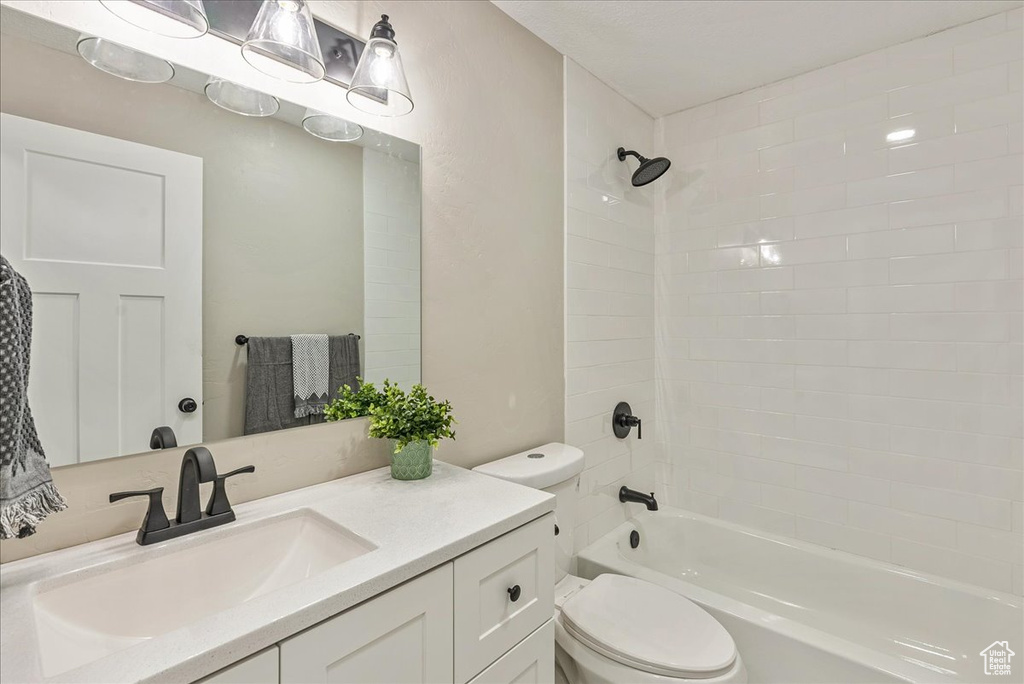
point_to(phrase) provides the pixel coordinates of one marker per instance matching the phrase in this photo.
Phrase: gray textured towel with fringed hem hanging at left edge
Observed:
(27, 492)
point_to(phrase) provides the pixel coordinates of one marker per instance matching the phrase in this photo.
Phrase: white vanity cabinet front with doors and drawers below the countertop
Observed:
(484, 618)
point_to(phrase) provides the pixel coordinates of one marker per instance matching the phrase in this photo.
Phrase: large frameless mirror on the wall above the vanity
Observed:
(160, 232)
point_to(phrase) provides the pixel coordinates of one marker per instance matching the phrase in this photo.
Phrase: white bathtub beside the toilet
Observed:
(801, 613)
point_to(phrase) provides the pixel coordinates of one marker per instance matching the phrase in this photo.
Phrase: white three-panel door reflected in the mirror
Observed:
(109, 236)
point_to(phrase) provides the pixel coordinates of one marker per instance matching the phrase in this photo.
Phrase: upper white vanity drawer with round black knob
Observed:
(488, 621)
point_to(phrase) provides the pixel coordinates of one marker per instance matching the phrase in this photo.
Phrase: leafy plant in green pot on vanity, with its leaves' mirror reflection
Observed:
(414, 421)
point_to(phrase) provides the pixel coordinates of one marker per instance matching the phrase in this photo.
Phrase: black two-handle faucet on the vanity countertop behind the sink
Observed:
(197, 467)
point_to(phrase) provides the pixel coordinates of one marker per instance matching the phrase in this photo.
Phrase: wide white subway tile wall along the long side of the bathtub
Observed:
(839, 304)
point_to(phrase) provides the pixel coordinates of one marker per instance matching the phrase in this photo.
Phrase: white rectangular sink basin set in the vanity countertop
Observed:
(82, 621)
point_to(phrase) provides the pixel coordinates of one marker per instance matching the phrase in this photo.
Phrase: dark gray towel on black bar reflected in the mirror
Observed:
(270, 389)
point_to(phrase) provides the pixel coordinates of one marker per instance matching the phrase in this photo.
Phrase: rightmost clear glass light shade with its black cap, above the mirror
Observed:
(379, 84)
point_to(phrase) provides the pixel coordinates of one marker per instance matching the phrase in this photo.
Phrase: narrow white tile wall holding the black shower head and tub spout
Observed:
(610, 298)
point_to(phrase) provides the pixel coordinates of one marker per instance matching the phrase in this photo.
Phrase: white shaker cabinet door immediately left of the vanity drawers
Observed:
(400, 637)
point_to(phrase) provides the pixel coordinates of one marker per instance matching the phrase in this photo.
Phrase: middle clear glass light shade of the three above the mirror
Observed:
(283, 42)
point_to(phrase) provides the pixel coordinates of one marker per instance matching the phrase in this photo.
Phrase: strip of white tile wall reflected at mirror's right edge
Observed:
(392, 263)
